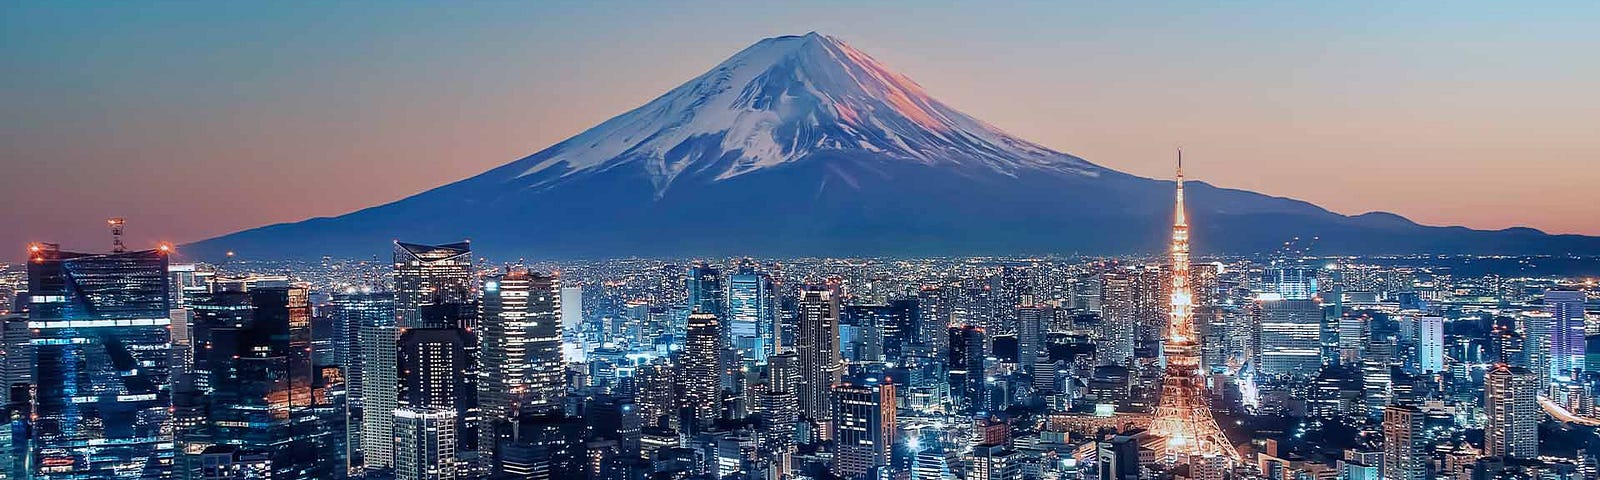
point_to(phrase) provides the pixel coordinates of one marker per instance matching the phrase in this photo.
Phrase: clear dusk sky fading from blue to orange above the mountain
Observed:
(194, 119)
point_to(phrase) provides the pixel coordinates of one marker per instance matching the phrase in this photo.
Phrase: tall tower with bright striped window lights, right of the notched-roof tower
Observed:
(521, 334)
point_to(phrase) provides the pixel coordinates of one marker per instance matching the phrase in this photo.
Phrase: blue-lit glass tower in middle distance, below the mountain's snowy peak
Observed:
(753, 314)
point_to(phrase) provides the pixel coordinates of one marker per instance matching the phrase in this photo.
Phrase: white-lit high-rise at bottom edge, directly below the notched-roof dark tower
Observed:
(426, 444)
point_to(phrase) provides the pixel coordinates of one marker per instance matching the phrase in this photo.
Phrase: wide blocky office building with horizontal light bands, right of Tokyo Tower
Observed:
(1290, 337)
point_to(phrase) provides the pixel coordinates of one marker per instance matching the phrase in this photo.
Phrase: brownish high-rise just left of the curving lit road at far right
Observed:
(1513, 414)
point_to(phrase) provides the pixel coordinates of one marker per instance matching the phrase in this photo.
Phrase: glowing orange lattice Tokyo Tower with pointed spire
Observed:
(1185, 417)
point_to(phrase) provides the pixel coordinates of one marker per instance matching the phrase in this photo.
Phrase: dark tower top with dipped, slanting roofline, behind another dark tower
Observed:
(428, 274)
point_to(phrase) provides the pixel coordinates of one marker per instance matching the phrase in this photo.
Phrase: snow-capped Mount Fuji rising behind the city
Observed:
(807, 146)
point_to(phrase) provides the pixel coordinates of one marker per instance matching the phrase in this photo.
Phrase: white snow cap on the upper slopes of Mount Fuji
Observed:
(780, 102)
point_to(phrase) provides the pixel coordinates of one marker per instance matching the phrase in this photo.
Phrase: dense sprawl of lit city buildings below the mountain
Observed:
(439, 366)
